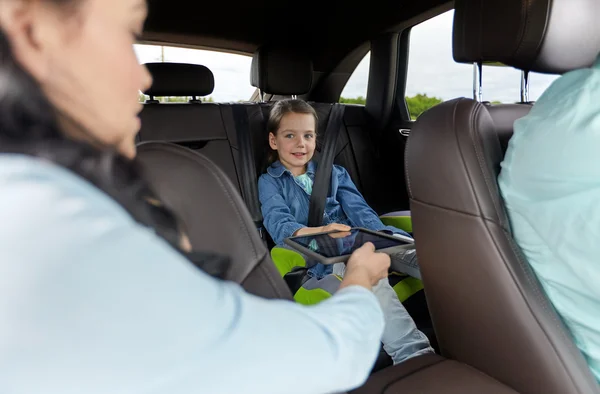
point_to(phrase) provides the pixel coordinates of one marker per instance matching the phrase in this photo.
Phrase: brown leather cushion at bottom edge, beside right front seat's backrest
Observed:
(431, 374)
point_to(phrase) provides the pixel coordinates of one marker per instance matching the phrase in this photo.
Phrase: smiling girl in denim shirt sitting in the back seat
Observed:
(284, 192)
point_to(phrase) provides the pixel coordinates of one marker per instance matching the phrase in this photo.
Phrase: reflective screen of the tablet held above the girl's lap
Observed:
(339, 244)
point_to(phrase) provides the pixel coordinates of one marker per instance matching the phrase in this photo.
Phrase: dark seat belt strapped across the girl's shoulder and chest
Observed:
(318, 197)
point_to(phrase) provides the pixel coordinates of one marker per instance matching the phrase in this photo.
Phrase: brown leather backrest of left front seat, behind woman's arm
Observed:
(213, 214)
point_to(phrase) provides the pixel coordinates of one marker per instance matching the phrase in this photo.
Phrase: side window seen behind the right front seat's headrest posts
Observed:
(434, 76)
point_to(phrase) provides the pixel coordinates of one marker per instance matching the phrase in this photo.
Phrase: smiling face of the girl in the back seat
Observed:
(295, 141)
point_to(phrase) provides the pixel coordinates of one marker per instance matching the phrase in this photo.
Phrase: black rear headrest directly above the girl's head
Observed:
(281, 71)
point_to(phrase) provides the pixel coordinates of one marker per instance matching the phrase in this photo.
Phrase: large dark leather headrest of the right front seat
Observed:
(547, 36)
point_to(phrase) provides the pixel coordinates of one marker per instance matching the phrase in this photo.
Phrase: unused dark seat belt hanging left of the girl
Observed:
(247, 168)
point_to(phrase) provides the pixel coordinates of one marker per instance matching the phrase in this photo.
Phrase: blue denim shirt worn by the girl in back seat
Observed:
(285, 204)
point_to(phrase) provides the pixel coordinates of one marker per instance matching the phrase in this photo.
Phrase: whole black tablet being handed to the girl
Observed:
(337, 246)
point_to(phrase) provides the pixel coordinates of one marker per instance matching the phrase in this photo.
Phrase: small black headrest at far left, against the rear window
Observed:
(176, 79)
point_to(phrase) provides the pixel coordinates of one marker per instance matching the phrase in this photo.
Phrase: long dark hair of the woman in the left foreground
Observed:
(28, 125)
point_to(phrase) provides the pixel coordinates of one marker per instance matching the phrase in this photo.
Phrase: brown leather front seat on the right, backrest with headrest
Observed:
(488, 308)
